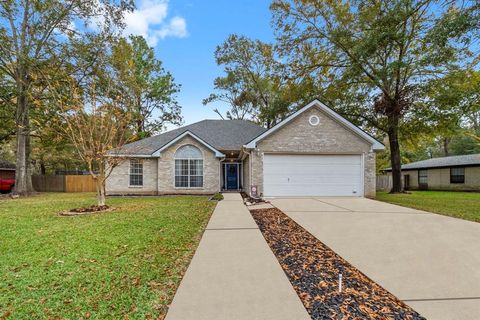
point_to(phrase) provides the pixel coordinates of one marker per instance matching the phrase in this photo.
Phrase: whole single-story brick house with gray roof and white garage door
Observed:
(313, 152)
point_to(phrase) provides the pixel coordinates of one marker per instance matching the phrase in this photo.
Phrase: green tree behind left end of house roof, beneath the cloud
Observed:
(146, 88)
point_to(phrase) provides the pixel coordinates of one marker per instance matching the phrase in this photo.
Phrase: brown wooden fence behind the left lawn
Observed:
(63, 183)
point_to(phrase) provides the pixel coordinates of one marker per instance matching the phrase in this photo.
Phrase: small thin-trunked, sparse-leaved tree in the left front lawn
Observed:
(96, 123)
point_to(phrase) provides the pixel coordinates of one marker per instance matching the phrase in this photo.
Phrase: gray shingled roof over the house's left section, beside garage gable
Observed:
(220, 134)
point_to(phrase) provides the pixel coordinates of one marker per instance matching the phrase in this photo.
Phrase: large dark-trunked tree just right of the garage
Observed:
(375, 53)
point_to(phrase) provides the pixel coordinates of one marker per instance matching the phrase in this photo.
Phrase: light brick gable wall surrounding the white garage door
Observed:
(328, 137)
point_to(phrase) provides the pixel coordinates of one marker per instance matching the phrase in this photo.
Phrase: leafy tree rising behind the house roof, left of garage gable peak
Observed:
(255, 85)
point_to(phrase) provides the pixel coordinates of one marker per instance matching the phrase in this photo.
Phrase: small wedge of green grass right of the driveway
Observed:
(463, 205)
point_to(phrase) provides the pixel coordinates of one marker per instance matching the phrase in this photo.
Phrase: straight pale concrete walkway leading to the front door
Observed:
(233, 274)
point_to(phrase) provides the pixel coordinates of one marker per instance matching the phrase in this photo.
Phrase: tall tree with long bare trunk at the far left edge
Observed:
(31, 33)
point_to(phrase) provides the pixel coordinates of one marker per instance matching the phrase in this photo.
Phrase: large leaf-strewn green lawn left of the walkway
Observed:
(125, 263)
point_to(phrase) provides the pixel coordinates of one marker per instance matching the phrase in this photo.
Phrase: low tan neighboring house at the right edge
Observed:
(447, 173)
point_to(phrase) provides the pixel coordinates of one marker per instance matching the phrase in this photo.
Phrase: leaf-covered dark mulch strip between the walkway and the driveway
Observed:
(313, 269)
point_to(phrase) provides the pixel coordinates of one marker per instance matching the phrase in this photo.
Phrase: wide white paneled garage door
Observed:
(312, 175)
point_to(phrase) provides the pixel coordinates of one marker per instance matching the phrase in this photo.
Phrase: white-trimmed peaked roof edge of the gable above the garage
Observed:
(335, 116)
